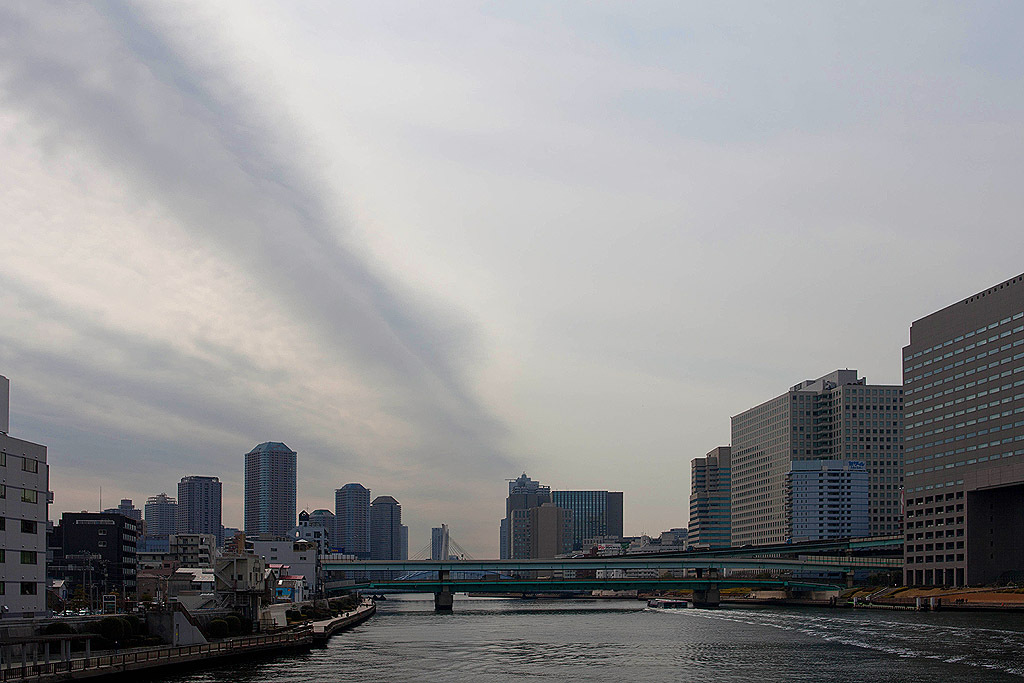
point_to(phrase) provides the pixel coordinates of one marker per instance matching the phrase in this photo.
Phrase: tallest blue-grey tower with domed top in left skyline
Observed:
(271, 490)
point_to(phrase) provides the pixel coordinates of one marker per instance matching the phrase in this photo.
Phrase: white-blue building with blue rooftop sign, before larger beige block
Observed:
(827, 500)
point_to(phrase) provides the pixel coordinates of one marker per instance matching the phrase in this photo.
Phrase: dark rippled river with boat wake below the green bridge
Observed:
(489, 639)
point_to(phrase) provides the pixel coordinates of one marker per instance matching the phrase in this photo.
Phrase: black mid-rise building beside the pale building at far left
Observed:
(100, 553)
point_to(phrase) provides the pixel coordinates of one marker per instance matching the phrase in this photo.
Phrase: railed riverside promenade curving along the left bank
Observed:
(131, 665)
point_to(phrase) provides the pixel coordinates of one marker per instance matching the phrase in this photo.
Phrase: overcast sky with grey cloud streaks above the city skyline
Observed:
(432, 246)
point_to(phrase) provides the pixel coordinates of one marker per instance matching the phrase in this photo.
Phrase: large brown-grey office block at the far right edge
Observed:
(964, 383)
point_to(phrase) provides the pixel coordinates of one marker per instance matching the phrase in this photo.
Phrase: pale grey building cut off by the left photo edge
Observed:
(24, 504)
